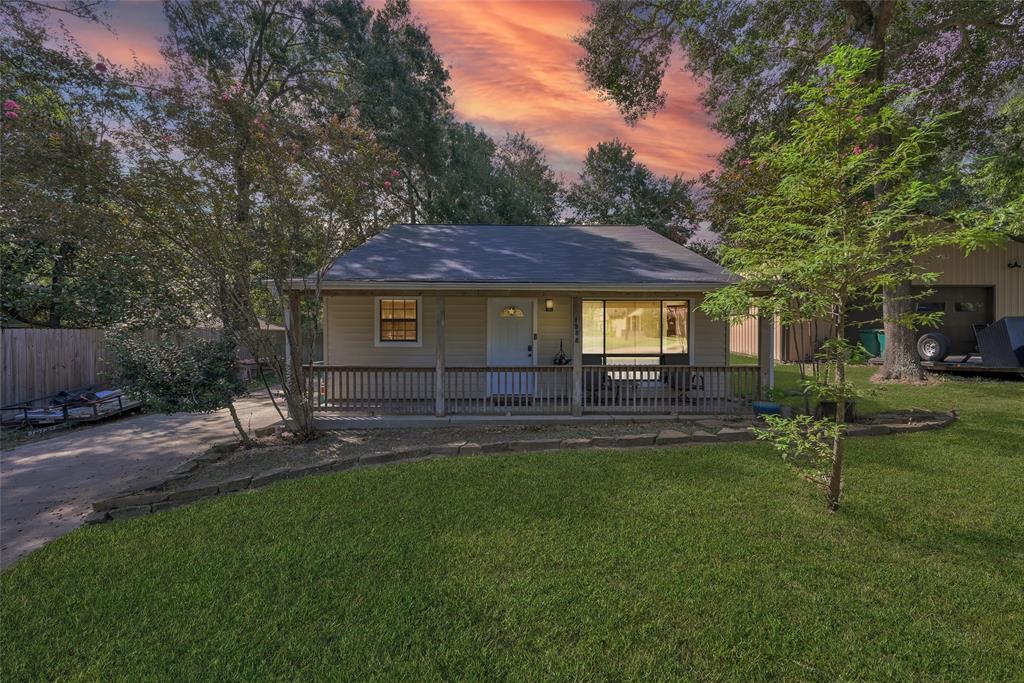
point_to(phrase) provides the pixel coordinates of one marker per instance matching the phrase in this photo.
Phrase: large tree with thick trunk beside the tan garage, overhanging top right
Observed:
(961, 55)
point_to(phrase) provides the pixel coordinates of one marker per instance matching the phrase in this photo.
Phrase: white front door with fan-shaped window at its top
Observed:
(510, 345)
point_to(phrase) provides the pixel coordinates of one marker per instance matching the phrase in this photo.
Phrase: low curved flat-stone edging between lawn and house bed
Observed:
(150, 501)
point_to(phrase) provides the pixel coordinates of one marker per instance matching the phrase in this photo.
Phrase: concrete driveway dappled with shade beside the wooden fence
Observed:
(48, 488)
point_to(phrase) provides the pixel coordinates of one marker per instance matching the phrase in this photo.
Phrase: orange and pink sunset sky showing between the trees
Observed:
(514, 68)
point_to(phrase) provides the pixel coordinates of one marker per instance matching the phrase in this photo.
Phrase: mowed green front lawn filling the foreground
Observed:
(699, 564)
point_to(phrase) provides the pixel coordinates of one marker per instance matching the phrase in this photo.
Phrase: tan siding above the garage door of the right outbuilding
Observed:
(986, 268)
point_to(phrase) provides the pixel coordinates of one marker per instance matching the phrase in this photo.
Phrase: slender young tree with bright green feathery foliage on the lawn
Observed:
(819, 243)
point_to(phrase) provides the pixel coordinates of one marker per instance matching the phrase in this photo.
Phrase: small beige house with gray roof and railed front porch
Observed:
(514, 320)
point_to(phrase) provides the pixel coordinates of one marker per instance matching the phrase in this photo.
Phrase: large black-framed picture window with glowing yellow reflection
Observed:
(635, 332)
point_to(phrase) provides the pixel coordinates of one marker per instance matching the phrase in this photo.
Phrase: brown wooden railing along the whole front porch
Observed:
(533, 391)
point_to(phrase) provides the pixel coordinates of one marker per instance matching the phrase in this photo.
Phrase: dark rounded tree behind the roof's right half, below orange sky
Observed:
(615, 188)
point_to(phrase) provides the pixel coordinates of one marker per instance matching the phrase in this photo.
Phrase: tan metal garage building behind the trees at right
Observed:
(973, 290)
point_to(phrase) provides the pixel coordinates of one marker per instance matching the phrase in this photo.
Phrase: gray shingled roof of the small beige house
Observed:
(522, 254)
